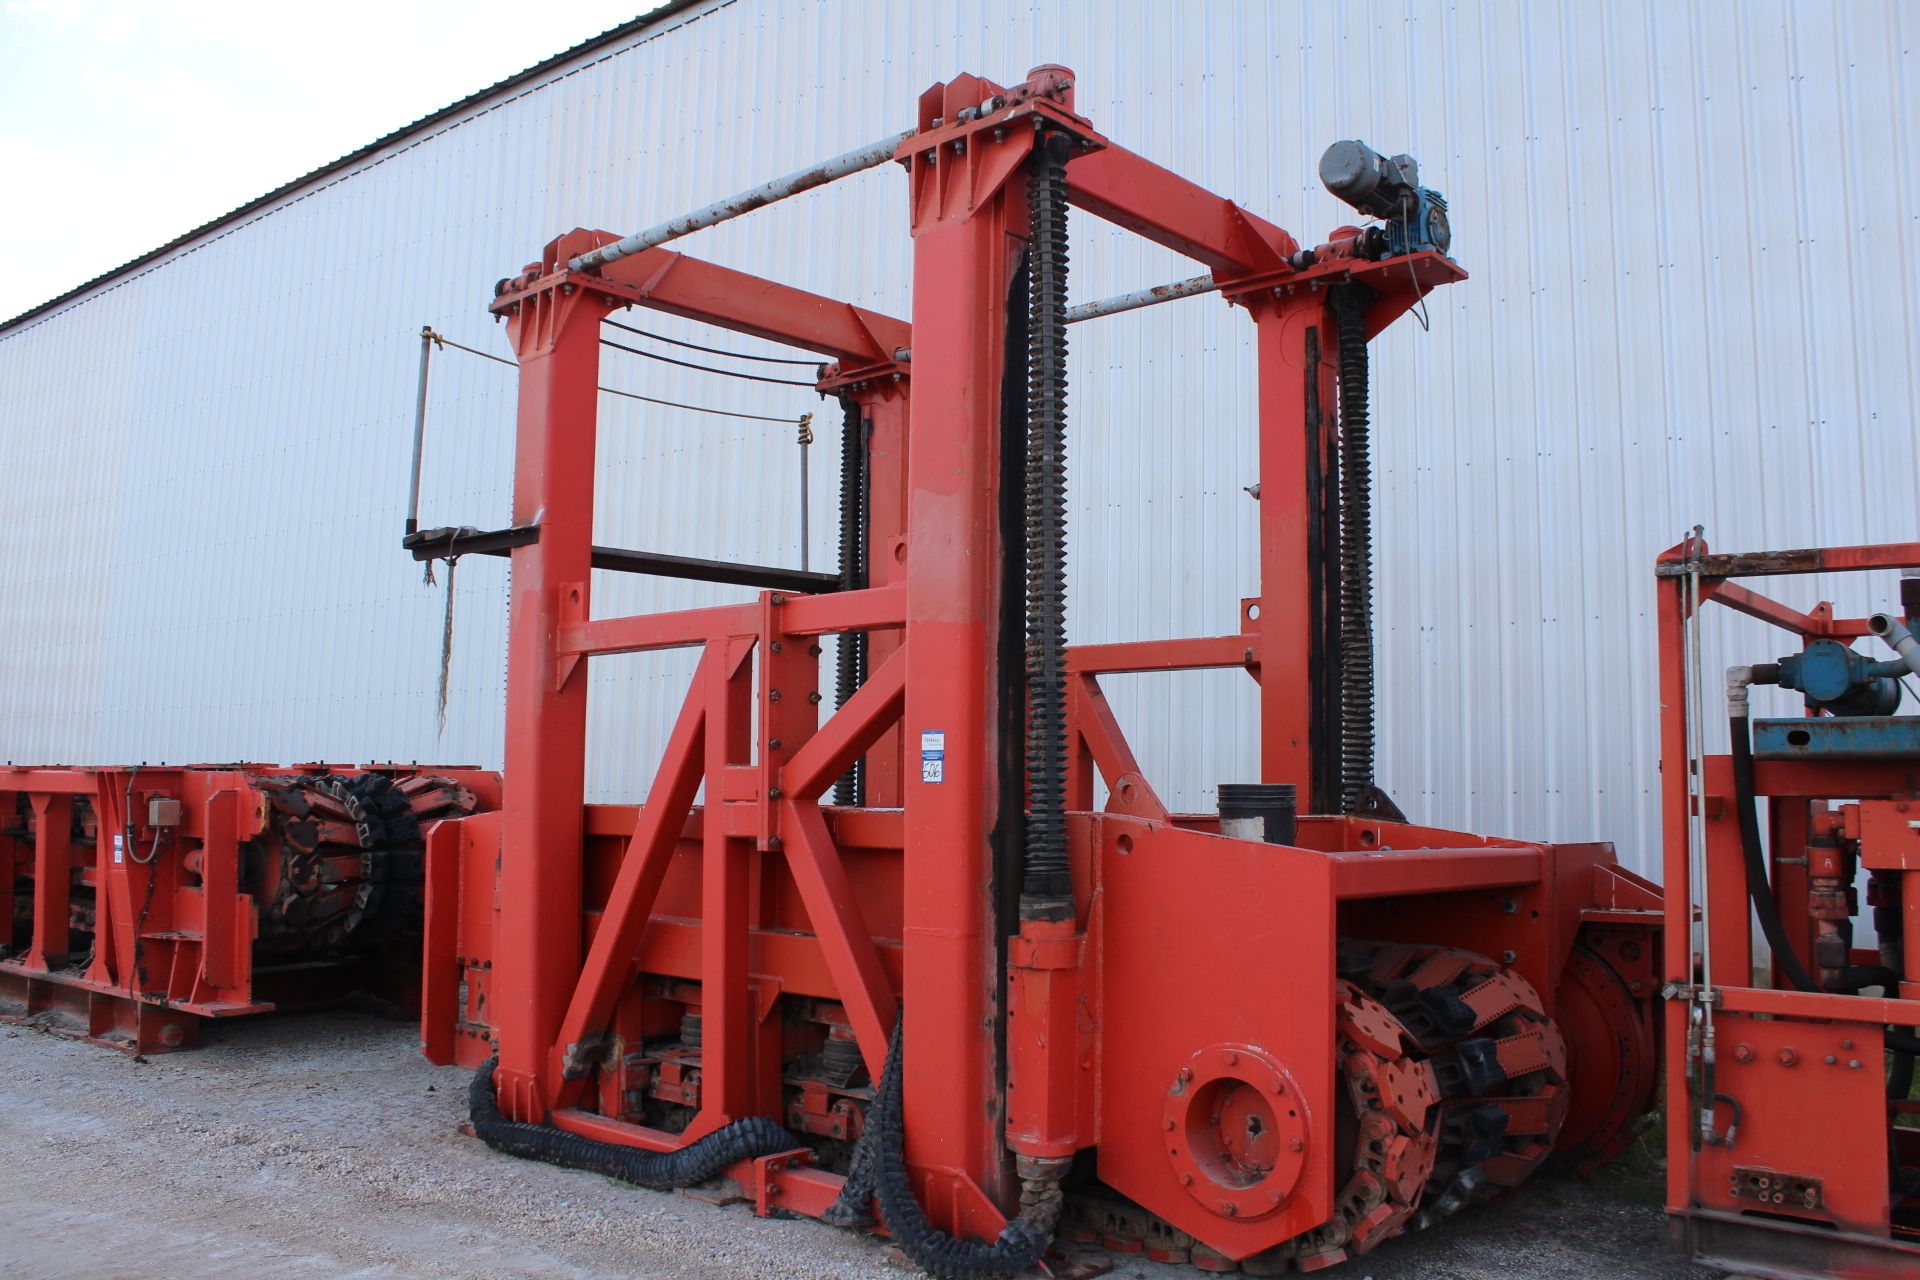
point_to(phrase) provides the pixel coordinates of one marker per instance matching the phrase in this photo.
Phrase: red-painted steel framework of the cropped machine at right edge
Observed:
(1817, 1114)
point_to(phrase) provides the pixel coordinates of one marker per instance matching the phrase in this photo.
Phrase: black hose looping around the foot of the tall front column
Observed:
(880, 1175)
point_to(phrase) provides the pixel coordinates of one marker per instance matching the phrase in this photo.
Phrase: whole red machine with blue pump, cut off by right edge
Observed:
(1792, 1139)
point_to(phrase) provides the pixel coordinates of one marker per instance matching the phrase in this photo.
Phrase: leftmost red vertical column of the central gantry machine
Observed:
(556, 333)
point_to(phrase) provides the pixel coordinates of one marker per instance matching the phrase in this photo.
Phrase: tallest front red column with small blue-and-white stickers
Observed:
(969, 218)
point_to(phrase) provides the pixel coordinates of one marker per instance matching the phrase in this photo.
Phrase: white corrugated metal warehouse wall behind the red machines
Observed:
(1692, 245)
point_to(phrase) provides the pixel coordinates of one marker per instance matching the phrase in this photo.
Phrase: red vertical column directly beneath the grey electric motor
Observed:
(1299, 364)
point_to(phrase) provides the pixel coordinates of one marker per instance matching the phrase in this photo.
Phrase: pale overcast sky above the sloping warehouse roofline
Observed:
(130, 122)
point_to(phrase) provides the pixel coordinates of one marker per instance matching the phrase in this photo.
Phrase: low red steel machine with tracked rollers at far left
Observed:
(149, 899)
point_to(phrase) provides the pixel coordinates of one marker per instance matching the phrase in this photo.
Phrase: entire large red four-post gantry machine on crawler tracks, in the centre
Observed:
(900, 957)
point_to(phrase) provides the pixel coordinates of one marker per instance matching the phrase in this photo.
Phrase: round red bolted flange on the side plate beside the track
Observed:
(1237, 1131)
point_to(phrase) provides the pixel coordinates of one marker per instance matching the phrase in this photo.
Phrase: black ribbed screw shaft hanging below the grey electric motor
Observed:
(1356, 548)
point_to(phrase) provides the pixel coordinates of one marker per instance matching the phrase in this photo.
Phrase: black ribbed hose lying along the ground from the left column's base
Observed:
(661, 1172)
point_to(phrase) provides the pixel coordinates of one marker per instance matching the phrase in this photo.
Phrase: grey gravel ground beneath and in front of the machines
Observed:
(325, 1147)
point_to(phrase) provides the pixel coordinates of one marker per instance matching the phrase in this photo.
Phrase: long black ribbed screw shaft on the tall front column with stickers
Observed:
(1047, 889)
